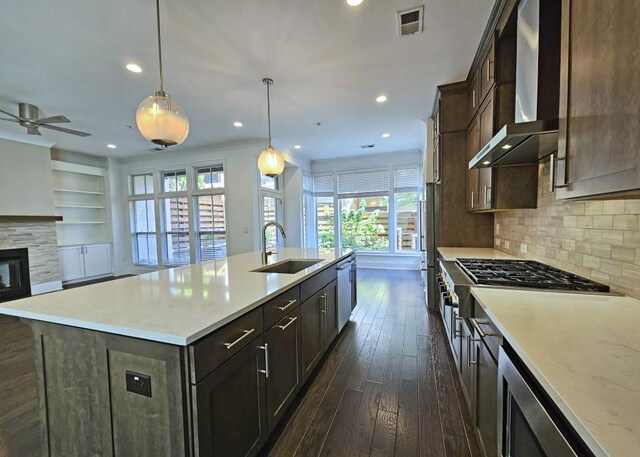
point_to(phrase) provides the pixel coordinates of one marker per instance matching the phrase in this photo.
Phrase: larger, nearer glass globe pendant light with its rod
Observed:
(159, 119)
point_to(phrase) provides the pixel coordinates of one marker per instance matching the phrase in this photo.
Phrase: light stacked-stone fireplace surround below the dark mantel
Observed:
(38, 235)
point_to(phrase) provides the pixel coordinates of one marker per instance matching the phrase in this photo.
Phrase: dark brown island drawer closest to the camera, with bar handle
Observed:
(213, 350)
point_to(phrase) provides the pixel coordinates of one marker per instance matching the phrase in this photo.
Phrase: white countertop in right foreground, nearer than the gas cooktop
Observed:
(585, 352)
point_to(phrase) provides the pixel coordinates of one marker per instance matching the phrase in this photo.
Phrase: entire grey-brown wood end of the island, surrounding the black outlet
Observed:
(87, 408)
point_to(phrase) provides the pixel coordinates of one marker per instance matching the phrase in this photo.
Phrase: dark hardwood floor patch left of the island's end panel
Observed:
(19, 410)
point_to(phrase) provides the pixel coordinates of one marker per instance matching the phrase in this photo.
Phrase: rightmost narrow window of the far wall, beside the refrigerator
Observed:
(406, 186)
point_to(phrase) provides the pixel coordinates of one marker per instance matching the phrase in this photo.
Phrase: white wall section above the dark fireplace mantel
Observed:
(26, 182)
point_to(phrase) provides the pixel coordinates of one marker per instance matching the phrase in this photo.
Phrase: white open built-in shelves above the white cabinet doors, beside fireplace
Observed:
(80, 198)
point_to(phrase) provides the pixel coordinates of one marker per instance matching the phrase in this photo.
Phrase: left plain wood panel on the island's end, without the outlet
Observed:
(74, 391)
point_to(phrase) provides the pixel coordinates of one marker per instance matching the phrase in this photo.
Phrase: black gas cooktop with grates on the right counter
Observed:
(526, 273)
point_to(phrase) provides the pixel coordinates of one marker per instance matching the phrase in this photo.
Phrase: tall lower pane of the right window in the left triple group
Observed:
(210, 232)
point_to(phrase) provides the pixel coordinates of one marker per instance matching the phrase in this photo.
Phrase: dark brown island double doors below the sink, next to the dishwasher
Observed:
(319, 316)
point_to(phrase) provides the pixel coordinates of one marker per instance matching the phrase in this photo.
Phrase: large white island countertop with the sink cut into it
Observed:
(176, 305)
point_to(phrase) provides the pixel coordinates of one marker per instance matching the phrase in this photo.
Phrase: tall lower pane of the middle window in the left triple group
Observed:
(175, 236)
